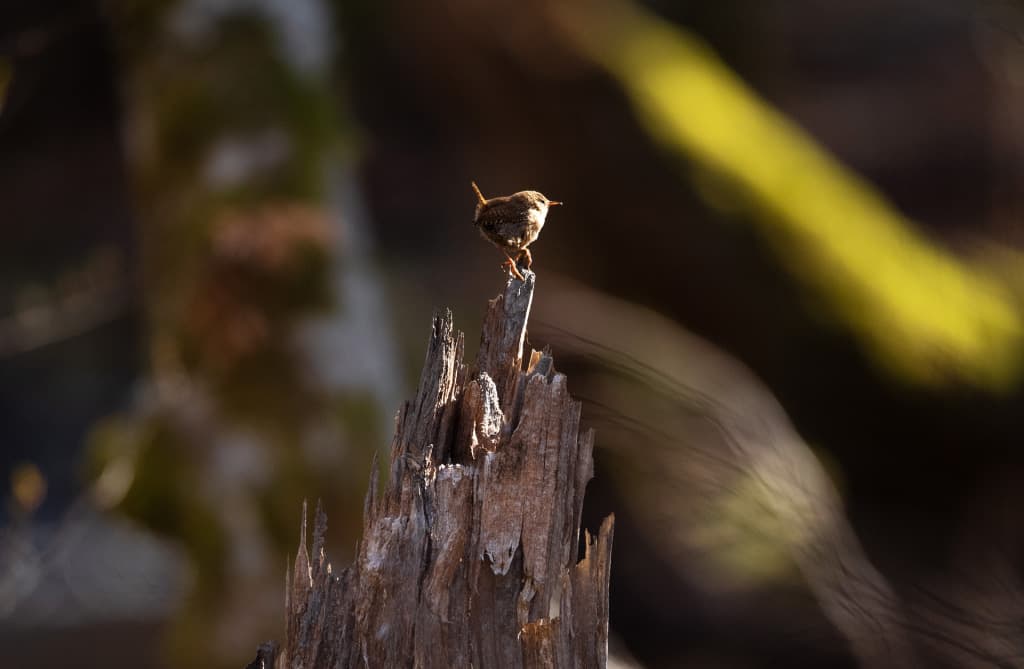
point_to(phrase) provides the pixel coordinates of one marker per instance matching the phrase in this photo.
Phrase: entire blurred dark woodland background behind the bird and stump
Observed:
(787, 284)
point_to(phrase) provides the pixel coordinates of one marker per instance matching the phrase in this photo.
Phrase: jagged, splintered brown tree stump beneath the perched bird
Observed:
(470, 556)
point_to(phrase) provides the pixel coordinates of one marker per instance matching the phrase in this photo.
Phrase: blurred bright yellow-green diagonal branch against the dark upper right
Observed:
(919, 310)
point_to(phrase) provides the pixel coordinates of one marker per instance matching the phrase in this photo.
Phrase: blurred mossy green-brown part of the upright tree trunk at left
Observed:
(233, 433)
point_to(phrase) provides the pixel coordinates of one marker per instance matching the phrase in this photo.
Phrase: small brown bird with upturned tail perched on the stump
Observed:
(513, 223)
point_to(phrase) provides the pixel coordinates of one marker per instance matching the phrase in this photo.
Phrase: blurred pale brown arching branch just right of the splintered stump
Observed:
(727, 486)
